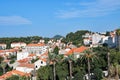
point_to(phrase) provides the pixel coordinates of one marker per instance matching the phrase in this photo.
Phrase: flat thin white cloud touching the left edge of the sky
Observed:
(13, 20)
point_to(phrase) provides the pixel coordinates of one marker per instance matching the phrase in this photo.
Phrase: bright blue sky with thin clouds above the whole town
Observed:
(46, 18)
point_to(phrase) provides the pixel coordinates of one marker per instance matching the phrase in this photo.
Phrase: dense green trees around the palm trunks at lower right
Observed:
(98, 63)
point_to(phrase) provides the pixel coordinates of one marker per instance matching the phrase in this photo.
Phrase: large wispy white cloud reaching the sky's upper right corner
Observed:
(91, 9)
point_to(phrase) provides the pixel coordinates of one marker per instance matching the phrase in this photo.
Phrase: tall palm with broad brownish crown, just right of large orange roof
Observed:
(88, 56)
